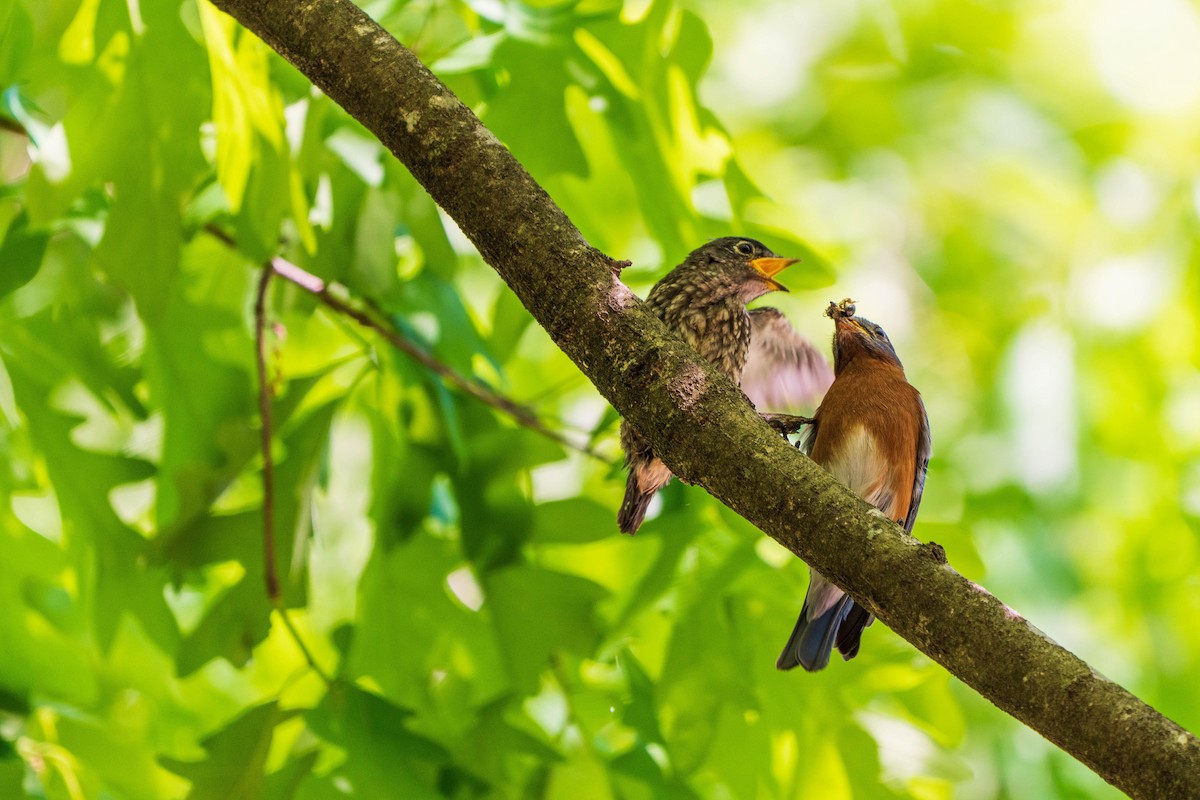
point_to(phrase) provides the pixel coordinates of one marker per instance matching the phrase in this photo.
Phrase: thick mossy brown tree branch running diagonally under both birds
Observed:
(699, 423)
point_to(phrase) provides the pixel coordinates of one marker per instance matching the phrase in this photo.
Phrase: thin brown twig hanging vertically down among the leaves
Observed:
(265, 410)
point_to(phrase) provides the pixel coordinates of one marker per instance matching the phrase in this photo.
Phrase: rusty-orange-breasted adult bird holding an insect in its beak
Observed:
(873, 434)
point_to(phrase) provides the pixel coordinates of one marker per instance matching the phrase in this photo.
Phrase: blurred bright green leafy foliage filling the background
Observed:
(1011, 189)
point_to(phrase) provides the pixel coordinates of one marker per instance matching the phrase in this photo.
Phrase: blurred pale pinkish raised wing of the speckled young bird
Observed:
(784, 370)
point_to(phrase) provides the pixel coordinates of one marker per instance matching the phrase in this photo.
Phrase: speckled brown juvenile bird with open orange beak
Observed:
(705, 300)
